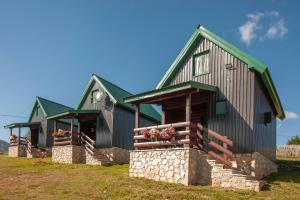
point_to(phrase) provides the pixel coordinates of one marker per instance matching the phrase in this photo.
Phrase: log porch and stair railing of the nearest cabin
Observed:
(188, 135)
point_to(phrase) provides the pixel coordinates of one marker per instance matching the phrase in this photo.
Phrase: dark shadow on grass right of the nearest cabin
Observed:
(288, 171)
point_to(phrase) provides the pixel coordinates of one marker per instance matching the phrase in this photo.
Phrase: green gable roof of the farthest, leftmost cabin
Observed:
(48, 107)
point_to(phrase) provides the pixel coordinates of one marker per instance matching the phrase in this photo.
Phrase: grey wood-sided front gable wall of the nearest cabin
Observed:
(237, 87)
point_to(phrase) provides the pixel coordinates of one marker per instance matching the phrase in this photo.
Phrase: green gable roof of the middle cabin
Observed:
(117, 95)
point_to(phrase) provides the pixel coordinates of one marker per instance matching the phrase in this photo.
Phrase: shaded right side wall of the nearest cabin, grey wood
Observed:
(264, 137)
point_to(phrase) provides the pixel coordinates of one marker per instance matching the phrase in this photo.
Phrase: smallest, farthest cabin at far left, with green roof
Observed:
(40, 127)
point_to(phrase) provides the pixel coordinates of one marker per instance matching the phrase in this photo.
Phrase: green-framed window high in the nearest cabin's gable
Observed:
(201, 63)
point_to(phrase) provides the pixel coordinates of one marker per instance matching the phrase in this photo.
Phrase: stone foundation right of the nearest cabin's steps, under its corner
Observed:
(254, 164)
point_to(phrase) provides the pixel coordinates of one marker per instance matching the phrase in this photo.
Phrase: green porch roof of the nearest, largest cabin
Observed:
(170, 89)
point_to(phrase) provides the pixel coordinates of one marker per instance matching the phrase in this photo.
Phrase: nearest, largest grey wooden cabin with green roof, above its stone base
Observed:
(217, 88)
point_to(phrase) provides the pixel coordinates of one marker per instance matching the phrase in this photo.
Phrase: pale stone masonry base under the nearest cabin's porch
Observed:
(168, 165)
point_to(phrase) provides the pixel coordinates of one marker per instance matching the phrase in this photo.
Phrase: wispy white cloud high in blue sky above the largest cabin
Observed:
(262, 25)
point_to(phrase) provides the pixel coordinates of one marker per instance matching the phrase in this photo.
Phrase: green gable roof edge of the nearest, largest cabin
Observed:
(253, 64)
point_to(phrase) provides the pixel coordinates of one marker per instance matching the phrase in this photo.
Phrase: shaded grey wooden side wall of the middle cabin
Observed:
(123, 127)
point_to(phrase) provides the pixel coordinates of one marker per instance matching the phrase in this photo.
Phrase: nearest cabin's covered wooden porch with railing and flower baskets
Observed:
(184, 108)
